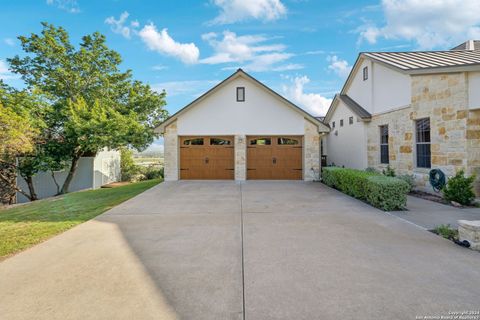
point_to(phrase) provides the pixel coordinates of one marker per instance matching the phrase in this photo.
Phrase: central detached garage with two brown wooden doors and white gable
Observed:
(241, 129)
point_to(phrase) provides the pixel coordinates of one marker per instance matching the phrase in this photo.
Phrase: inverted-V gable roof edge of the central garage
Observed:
(240, 73)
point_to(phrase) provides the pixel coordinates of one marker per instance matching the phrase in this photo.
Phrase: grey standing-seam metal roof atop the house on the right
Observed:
(422, 60)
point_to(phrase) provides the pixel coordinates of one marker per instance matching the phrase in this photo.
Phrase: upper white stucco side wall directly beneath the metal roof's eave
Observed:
(391, 89)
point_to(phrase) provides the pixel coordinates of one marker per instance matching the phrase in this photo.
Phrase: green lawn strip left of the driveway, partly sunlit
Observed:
(26, 225)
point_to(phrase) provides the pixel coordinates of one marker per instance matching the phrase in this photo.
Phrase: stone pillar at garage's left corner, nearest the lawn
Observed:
(171, 152)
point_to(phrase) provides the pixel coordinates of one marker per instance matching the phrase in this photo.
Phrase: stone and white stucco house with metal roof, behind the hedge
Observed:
(414, 111)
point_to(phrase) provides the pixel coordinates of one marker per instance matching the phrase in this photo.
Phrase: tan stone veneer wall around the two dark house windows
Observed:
(455, 135)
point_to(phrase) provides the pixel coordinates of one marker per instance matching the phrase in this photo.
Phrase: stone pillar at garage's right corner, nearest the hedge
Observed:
(311, 152)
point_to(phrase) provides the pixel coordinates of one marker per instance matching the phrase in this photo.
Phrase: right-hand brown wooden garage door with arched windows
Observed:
(274, 158)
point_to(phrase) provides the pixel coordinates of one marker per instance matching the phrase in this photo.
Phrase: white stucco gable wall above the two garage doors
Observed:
(221, 114)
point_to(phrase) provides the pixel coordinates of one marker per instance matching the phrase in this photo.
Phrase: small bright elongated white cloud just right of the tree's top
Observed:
(161, 42)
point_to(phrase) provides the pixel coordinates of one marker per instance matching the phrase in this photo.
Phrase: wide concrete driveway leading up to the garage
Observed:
(256, 250)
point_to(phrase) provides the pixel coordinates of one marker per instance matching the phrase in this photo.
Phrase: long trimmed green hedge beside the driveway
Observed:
(386, 193)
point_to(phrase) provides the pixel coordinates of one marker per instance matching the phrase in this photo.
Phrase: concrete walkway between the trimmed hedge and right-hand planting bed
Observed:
(429, 214)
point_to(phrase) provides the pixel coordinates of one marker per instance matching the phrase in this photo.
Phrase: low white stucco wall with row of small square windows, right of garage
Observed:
(349, 147)
